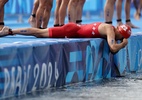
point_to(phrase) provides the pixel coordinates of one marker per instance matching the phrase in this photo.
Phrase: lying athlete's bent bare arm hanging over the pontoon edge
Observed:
(114, 46)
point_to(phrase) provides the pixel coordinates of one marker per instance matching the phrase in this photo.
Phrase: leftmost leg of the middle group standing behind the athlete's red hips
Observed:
(56, 14)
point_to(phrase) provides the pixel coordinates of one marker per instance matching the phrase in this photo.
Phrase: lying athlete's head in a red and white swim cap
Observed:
(125, 30)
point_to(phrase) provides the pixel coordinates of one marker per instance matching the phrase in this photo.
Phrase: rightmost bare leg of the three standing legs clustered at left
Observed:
(47, 12)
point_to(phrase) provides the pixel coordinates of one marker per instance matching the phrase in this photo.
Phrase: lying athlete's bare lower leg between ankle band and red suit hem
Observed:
(43, 33)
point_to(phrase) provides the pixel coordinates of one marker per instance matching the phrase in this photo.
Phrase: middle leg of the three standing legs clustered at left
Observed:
(39, 13)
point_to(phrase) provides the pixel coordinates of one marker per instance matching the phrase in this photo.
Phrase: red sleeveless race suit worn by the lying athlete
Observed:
(72, 30)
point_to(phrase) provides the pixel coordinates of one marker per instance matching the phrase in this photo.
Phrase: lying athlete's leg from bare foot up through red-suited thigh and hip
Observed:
(69, 30)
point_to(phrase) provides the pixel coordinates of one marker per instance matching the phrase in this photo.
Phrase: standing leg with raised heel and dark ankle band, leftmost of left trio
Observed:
(32, 19)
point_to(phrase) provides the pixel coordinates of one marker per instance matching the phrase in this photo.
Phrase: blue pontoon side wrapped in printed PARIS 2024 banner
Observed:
(38, 64)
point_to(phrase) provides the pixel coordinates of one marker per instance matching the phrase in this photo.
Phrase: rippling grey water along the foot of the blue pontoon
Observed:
(124, 88)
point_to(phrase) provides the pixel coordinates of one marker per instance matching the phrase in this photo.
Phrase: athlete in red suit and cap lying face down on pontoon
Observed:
(72, 30)
